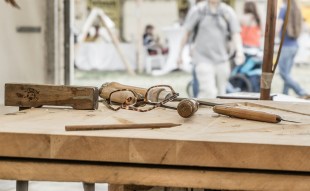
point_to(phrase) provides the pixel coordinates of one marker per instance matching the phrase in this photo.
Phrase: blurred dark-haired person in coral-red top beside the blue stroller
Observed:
(250, 25)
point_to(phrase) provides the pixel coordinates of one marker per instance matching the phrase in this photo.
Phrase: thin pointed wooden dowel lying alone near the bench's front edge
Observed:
(119, 126)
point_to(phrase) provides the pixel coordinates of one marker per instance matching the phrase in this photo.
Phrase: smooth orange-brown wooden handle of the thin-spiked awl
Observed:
(246, 114)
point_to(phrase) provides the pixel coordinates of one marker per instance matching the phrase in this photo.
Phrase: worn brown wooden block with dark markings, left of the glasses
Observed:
(34, 95)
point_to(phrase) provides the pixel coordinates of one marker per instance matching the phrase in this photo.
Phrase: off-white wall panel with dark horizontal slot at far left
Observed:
(22, 55)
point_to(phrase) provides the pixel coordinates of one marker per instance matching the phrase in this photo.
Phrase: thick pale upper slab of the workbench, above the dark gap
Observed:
(206, 139)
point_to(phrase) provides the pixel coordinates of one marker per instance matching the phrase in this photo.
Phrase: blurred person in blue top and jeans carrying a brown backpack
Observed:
(290, 46)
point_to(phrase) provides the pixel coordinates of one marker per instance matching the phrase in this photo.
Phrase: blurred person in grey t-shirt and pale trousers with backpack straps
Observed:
(212, 23)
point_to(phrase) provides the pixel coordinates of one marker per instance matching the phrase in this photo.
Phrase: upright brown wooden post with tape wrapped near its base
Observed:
(267, 67)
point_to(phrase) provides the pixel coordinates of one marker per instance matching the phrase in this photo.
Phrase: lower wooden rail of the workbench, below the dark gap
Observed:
(152, 176)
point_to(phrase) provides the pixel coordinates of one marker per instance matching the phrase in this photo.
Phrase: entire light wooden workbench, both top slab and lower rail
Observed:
(207, 151)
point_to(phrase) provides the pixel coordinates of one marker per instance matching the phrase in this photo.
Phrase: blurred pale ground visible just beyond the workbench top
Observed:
(178, 80)
